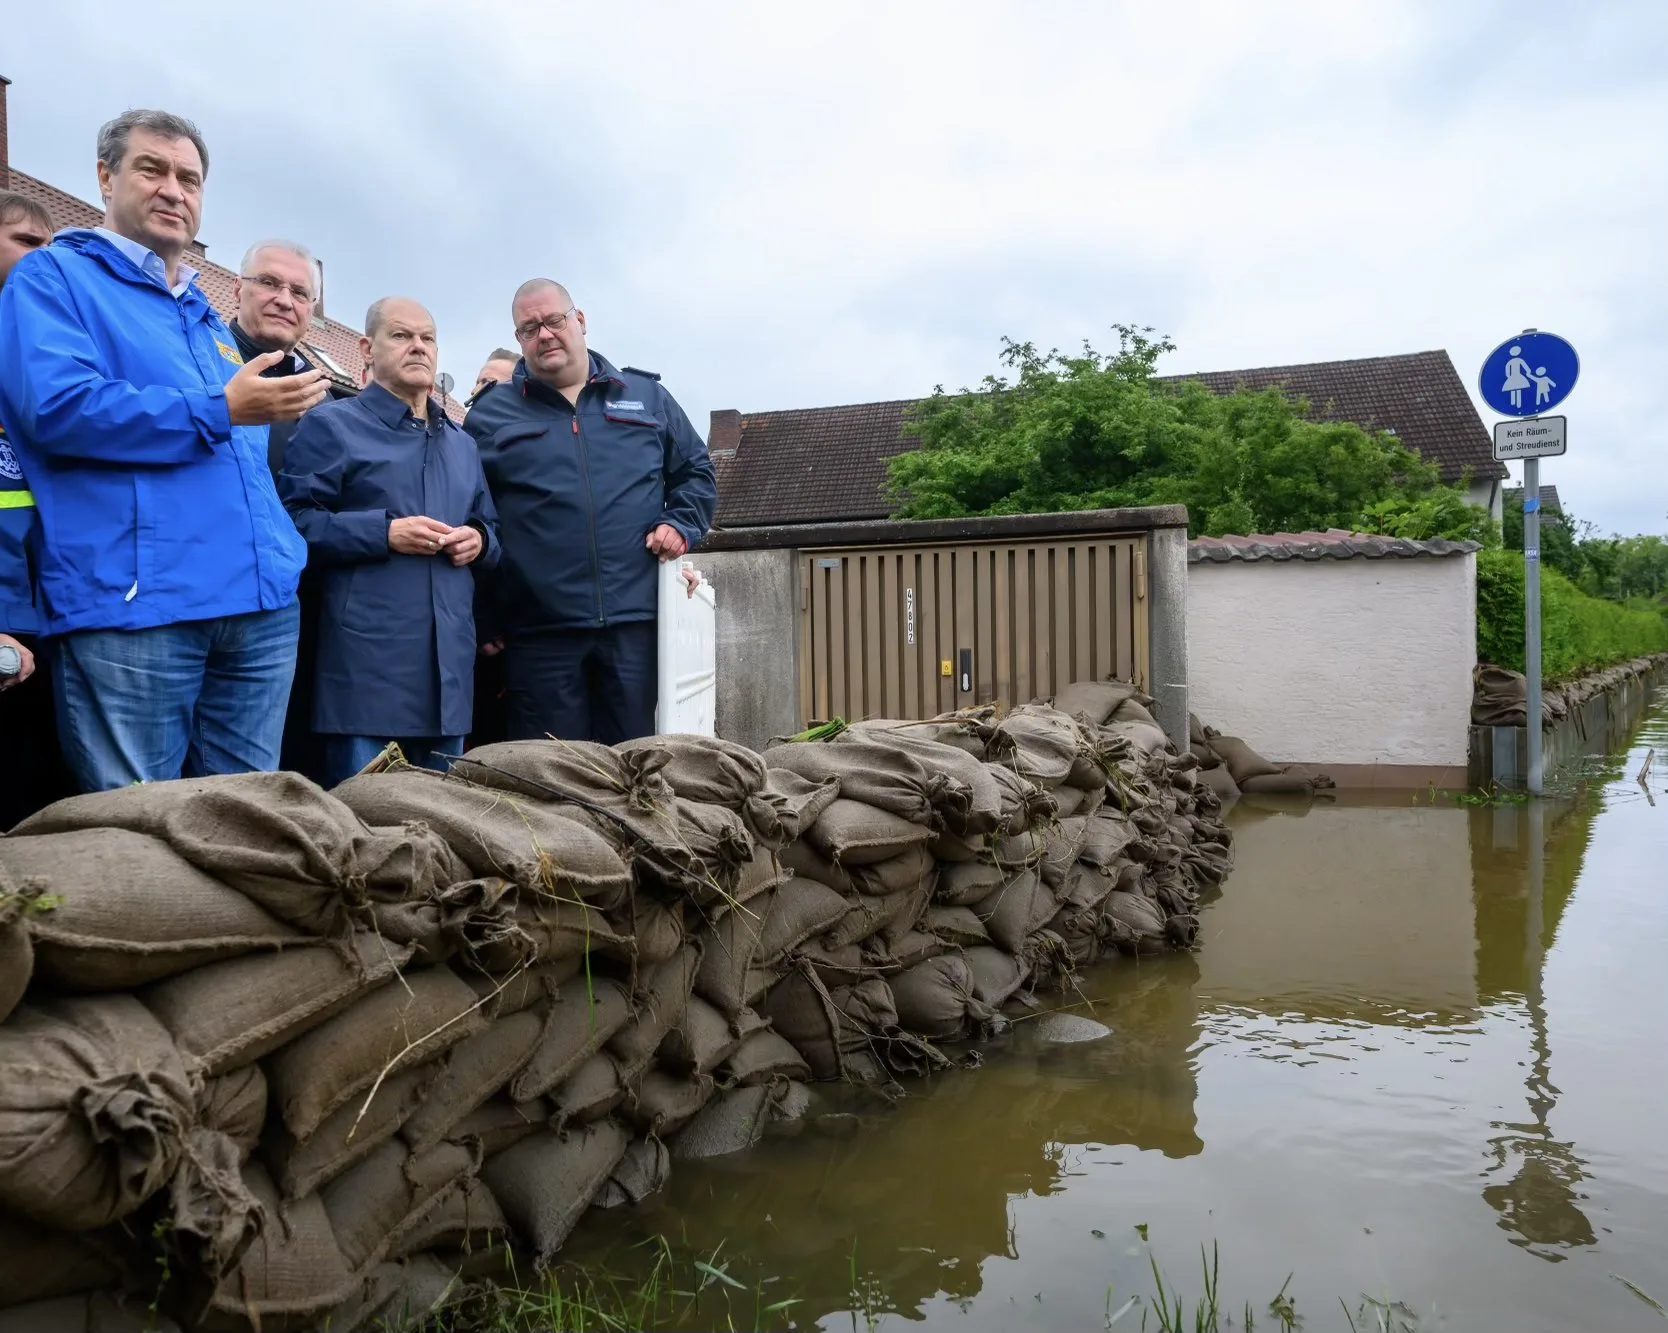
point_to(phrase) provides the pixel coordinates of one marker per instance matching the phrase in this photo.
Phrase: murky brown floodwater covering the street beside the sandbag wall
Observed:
(1414, 1060)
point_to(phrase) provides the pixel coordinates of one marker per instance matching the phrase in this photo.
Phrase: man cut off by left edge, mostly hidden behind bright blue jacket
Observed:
(29, 760)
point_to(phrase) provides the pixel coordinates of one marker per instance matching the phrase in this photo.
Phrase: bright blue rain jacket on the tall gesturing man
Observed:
(154, 508)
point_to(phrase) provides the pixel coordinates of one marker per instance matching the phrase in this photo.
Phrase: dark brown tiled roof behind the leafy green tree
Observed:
(828, 465)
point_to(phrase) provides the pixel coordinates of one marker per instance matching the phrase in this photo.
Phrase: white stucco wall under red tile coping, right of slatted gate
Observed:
(1337, 661)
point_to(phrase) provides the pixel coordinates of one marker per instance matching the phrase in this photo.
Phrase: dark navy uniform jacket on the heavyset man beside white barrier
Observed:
(580, 490)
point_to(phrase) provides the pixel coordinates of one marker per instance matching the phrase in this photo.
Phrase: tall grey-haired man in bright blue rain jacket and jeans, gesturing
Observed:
(168, 566)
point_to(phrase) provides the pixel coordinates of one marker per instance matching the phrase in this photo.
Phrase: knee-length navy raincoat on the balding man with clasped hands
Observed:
(396, 633)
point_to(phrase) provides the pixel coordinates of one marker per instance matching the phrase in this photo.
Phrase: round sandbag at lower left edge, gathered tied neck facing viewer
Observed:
(94, 1110)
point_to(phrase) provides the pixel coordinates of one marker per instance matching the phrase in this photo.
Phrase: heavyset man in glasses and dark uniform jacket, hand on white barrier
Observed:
(598, 478)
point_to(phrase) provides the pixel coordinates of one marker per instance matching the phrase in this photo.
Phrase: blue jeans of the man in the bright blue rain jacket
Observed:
(189, 700)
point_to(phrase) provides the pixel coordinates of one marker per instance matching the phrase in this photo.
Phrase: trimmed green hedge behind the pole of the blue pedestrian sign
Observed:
(1579, 633)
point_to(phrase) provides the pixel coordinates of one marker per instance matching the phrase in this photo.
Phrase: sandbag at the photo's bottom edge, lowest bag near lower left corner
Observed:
(291, 1275)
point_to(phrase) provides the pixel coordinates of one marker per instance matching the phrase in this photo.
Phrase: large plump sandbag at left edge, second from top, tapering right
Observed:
(128, 910)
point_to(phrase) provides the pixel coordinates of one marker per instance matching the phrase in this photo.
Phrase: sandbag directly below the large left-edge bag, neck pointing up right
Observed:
(229, 1015)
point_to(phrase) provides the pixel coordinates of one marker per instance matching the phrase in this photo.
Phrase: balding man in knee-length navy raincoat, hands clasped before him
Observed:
(394, 508)
